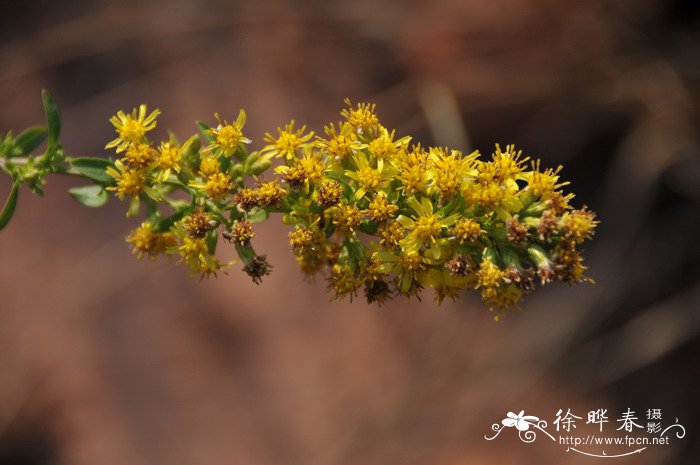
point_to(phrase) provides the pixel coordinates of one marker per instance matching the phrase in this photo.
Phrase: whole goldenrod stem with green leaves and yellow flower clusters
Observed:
(367, 209)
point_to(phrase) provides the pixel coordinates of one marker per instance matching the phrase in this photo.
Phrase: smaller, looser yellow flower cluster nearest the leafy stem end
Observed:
(213, 179)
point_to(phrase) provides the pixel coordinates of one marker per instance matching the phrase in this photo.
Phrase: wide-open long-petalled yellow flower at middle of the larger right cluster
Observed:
(426, 226)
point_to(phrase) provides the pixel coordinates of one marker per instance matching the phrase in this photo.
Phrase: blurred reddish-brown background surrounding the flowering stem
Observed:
(109, 361)
